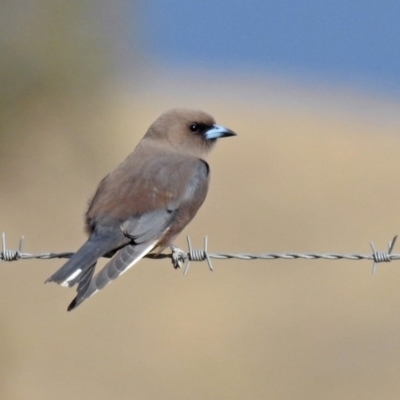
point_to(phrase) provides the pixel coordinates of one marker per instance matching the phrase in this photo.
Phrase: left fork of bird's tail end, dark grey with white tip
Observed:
(70, 273)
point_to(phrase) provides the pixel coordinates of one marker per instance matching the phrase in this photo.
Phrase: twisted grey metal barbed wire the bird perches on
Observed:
(181, 258)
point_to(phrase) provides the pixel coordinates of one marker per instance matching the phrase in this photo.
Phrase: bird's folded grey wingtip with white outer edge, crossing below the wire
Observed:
(124, 259)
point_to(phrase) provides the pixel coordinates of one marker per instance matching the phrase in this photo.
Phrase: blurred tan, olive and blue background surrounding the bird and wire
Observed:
(313, 90)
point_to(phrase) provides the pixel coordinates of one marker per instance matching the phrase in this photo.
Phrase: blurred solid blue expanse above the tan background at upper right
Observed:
(356, 42)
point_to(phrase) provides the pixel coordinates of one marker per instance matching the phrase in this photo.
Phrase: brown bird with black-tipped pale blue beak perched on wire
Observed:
(143, 204)
